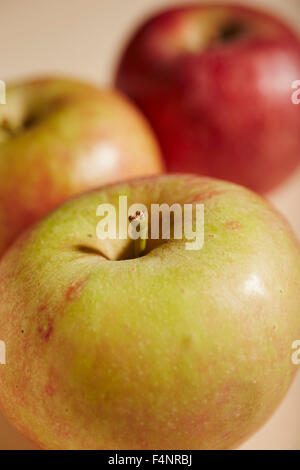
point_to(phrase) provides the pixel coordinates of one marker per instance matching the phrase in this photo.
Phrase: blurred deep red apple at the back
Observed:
(215, 83)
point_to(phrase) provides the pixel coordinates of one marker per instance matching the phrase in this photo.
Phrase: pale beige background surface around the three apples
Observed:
(83, 38)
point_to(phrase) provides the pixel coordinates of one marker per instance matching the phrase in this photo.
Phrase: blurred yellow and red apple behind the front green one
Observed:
(60, 137)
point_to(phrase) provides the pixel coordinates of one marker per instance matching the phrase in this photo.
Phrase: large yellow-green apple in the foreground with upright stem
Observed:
(176, 349)
